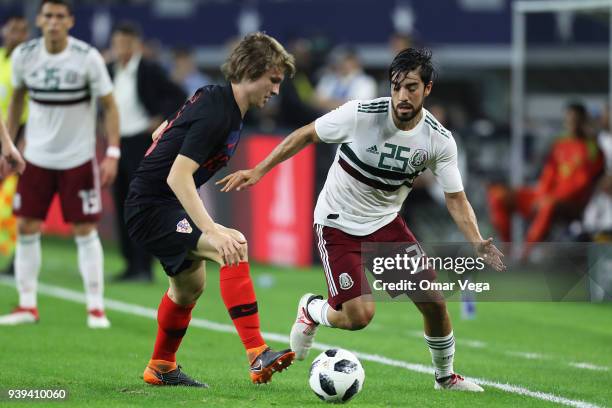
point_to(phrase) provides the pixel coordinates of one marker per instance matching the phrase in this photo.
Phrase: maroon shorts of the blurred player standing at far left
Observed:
(78, 189)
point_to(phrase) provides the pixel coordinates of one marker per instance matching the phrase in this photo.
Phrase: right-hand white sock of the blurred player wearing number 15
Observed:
(91, 266)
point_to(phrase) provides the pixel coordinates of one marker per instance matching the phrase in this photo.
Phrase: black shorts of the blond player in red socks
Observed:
(166, 232)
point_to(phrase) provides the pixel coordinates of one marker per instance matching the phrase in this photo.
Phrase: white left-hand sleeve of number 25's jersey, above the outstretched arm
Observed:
(337, 126)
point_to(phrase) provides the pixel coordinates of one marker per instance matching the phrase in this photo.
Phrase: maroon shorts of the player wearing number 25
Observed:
(345, 265)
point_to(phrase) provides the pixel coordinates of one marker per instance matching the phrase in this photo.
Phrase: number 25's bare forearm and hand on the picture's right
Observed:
(463, 214)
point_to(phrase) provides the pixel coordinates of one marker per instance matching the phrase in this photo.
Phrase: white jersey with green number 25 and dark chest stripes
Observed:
(377, 163)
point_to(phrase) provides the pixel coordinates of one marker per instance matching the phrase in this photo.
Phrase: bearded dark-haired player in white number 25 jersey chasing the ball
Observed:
(384, 144)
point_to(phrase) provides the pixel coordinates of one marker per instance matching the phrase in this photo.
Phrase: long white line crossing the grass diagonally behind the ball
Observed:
(119, 306)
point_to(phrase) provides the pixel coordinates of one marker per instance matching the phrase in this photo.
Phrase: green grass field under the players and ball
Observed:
(531, 346)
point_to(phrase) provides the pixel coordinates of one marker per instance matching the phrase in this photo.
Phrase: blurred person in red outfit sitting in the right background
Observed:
(564, 186)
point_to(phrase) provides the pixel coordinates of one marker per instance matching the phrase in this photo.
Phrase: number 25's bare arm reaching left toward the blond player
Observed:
(291, 145)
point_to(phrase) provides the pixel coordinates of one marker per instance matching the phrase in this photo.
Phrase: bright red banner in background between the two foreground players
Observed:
(282, 204)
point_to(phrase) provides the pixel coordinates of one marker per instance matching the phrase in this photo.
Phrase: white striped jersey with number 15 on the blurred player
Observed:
(63, 87)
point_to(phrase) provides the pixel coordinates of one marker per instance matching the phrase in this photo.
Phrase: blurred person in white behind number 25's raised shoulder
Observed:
(344, 81)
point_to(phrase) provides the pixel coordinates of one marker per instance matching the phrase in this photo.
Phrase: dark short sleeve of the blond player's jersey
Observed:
(204, 136)
